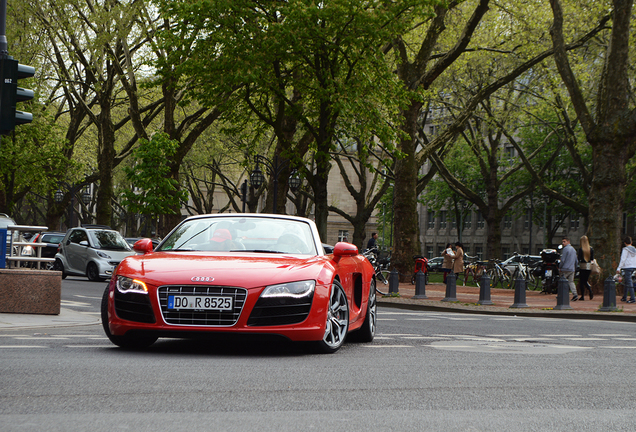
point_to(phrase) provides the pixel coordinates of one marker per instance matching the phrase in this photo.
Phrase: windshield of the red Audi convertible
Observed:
(242, 234)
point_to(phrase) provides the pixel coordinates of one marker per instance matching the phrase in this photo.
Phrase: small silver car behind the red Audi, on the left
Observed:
(93, 251)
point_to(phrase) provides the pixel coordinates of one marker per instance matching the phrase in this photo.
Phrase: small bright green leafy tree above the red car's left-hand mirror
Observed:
(153, 192)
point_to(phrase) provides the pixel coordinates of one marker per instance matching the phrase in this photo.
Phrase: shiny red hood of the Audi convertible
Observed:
(234, 269)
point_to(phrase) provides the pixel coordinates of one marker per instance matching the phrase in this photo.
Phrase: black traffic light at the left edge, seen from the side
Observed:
(10, 72)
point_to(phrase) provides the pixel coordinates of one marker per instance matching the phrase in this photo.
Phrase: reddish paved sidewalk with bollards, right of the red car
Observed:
(540, 305)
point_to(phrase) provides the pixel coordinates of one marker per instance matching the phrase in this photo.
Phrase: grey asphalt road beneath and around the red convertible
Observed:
(424, 371)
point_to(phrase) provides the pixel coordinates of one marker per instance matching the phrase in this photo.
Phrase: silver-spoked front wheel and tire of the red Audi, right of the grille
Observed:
(337, 322)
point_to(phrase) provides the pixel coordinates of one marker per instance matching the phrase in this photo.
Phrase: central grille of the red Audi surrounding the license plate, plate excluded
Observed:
(202, 318)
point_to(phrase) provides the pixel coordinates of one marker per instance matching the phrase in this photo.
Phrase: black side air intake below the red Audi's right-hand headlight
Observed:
(280, 311)
